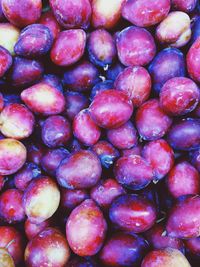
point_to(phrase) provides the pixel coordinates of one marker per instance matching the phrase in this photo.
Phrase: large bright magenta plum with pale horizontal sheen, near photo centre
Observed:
(116, 108)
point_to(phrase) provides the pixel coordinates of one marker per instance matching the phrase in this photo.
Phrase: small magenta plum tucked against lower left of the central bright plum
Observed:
(85, 129)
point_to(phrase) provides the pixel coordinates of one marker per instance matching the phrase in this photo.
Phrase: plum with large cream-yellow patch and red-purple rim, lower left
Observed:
(41, 199)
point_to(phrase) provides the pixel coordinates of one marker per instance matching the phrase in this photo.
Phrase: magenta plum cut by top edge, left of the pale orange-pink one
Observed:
(72, 14)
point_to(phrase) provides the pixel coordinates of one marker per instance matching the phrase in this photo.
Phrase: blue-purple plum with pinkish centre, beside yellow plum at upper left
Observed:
(34, 41)
